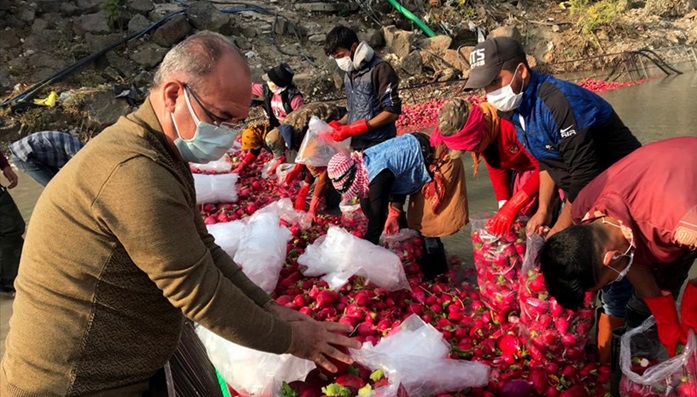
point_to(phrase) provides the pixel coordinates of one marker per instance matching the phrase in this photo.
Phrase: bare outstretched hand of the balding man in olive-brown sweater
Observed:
(317, 341)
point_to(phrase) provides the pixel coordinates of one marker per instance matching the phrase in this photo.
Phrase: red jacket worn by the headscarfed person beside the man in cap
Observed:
(506, 154)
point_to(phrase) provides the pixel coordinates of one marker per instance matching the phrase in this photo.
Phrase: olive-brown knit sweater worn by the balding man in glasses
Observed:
(116, 255)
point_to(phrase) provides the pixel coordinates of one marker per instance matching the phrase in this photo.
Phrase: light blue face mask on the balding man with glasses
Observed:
(210, 142)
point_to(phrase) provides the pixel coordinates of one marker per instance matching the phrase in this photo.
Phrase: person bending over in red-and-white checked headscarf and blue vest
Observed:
(383, 175)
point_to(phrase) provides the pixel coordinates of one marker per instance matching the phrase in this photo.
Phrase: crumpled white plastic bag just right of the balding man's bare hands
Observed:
(417, 356)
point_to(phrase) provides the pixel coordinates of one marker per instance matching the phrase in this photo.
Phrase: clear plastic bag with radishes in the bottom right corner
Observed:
(640, 348)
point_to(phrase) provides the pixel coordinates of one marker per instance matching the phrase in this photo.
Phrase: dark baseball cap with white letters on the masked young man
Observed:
(487, 58)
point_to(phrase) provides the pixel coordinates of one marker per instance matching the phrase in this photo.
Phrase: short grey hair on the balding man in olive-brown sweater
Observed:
(196, 57)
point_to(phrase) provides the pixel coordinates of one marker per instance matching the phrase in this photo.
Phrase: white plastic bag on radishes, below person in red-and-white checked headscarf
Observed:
(340, 255)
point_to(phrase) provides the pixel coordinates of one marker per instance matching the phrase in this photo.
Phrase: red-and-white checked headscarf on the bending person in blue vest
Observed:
(348, 175)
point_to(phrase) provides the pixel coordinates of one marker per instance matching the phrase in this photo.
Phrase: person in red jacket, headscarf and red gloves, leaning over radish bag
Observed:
(478, 129)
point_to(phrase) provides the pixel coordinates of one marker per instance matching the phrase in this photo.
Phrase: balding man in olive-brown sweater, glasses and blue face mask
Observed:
(117, 254)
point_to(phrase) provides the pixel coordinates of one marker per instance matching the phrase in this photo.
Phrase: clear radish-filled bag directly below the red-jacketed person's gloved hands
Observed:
(498, 261)
